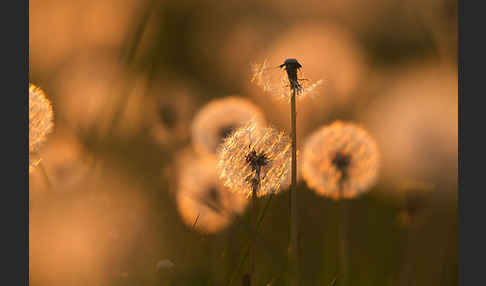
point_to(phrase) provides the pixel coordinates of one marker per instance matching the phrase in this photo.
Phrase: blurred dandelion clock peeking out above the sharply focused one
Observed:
(219, 118)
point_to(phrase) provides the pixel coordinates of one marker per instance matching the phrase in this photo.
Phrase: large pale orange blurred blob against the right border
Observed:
(414, 121)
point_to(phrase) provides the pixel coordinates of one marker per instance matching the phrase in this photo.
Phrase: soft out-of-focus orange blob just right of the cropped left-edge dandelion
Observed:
(87, 87)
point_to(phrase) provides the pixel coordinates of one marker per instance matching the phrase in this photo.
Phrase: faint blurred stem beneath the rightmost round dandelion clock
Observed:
(343, 239)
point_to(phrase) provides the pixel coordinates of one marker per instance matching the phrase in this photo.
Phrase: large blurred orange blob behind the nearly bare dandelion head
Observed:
(332, 62)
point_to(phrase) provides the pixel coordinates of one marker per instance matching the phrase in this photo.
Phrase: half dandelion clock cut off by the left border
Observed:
(41, 122)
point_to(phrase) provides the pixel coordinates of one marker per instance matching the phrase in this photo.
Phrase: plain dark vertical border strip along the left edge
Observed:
(14, 118)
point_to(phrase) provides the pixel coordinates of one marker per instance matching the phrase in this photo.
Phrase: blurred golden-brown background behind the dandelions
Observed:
(126, 78)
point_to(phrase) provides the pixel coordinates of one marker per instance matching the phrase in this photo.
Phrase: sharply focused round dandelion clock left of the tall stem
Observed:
(252, 149)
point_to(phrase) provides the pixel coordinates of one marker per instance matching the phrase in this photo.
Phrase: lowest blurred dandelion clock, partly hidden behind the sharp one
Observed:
(202, 201)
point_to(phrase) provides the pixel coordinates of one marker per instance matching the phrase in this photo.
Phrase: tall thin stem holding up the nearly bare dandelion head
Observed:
(293, 195)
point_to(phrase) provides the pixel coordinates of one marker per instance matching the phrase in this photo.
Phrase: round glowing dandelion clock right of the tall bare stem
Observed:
(340, 160)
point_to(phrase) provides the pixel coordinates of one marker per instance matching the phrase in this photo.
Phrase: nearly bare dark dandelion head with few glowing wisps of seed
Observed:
(281, 84)
